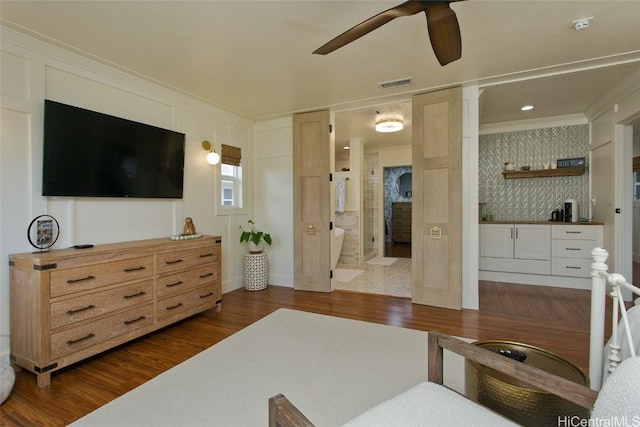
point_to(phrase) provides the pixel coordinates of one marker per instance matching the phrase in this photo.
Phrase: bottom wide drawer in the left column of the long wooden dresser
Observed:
(81, 337)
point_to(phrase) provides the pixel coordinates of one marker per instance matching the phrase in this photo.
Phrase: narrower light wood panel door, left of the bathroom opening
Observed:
(312, 205)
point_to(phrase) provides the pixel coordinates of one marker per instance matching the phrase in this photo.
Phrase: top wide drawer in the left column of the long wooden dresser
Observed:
(68, 281)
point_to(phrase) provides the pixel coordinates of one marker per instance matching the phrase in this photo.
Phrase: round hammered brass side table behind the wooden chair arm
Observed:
(523, 404)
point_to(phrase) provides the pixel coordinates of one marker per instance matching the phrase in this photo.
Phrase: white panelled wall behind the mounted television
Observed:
(32, 71)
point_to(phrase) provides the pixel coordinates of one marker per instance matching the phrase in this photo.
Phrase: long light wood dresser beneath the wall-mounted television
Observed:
(70, 304)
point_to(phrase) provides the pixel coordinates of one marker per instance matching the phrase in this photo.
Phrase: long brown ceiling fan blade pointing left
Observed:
(405, 9)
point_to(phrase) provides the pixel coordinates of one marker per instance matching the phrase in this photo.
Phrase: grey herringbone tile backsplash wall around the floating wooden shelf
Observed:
(531, 199)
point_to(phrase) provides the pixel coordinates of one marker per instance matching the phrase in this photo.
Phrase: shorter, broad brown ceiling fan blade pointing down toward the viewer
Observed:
(444, 33)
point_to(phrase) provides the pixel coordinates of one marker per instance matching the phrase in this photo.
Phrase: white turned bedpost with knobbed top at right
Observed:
(598, 300)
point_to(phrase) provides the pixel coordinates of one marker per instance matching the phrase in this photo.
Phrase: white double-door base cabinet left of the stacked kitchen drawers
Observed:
(522, 248)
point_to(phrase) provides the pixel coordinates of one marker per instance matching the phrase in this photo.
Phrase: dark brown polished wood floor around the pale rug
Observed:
(551, 318)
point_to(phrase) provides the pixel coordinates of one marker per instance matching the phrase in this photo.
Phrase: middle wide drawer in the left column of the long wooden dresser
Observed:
(89, 306)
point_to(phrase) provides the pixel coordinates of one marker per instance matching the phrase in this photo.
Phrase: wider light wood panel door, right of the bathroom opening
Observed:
(437, 199)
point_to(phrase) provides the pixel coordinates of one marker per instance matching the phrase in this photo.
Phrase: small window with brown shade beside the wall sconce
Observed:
(230, 178)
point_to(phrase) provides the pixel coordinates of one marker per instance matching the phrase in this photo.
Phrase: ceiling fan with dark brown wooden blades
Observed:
(442, 24)
